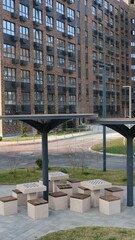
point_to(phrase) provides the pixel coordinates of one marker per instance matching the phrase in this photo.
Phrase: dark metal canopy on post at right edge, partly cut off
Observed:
(126, 127)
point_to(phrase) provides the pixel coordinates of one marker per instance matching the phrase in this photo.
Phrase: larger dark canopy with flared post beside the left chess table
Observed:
(44, 123)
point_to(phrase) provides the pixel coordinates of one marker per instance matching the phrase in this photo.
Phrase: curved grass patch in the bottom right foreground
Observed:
(92, 233)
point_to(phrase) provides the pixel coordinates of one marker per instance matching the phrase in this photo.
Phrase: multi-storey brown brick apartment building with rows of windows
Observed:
(56, 55)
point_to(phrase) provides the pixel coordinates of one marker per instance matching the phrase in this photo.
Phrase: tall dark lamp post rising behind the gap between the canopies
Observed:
(104, 66)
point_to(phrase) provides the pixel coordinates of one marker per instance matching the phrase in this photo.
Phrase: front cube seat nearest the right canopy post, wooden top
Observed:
(109, 204)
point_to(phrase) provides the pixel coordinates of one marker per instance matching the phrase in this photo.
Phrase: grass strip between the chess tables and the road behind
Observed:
(34, 174)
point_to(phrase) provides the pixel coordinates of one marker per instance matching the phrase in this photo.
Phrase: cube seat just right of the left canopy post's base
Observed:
(58, 200)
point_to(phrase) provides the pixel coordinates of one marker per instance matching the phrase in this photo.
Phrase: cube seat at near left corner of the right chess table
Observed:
(80, 202)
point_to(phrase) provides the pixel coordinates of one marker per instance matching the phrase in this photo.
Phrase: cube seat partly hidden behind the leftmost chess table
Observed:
(21, 197)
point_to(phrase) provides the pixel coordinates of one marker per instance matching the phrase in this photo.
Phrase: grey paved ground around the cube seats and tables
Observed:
(21, 227)
